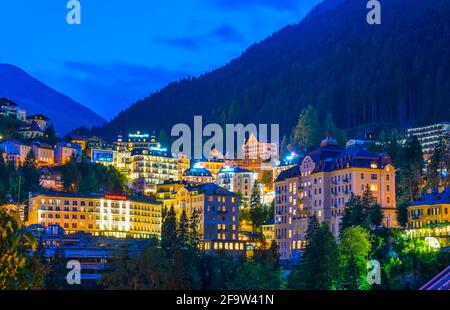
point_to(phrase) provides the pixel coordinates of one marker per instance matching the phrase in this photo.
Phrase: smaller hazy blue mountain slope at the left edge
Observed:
(35, 97)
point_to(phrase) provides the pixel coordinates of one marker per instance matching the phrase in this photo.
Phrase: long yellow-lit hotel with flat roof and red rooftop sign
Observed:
(109, 215)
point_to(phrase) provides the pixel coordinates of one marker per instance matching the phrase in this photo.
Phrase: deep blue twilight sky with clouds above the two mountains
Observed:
(125, 50)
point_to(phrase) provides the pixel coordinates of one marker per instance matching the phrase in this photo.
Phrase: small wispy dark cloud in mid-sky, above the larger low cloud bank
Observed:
(223, 34)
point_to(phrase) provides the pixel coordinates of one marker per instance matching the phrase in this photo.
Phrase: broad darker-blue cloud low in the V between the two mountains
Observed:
(109, 88)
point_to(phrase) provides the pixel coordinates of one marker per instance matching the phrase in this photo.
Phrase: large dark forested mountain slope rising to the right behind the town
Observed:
(392, 73)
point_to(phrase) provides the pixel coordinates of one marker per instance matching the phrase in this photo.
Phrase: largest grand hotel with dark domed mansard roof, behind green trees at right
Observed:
(322, 185)
